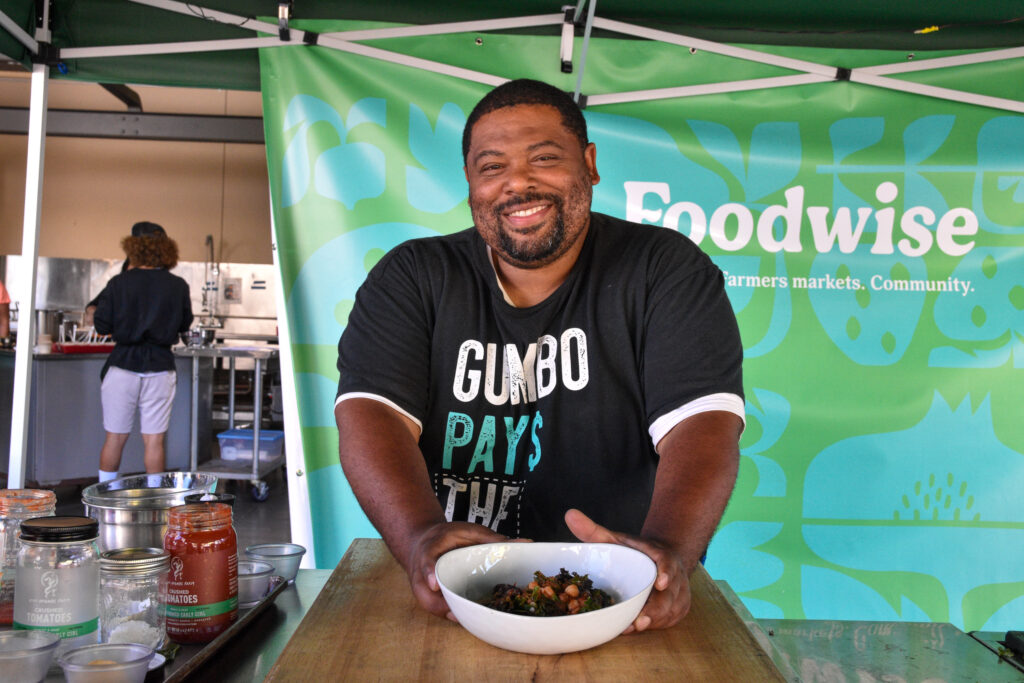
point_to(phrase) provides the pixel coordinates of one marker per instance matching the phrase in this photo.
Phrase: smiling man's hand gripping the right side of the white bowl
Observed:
(670, 601)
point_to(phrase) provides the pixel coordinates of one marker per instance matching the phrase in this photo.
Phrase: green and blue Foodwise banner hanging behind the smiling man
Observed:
(874, 250)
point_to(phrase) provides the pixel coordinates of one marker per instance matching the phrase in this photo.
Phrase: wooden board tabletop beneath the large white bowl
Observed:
(366, 625)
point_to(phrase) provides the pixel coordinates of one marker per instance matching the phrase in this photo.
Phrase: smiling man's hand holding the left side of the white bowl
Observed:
(432, 544)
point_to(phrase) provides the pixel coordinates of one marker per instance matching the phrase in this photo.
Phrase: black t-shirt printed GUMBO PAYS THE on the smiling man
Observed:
(529, 412)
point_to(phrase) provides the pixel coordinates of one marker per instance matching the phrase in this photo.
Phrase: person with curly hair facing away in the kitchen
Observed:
(145, 309)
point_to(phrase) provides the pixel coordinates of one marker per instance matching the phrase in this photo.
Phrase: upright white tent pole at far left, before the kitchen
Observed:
(22, 399)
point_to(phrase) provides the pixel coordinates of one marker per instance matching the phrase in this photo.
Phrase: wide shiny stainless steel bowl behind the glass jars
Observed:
(133, 511)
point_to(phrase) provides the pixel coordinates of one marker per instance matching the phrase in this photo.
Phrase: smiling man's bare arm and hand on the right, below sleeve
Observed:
(697, 472)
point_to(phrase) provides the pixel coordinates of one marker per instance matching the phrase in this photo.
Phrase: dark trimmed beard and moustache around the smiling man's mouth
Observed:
(548, 247)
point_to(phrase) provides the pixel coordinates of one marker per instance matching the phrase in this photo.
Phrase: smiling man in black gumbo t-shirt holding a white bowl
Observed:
(549, 374)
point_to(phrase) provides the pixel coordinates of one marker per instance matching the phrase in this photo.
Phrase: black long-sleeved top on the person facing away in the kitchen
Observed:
(145, 311)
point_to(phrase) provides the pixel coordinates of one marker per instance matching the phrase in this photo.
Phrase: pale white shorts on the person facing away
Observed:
(152, 394)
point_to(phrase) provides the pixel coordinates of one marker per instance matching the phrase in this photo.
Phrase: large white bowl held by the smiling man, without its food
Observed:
(470, 575)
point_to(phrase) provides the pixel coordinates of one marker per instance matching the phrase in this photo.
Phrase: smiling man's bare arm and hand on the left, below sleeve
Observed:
(380, 455)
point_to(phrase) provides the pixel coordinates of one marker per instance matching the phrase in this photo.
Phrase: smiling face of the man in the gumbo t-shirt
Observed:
(530, 185)
